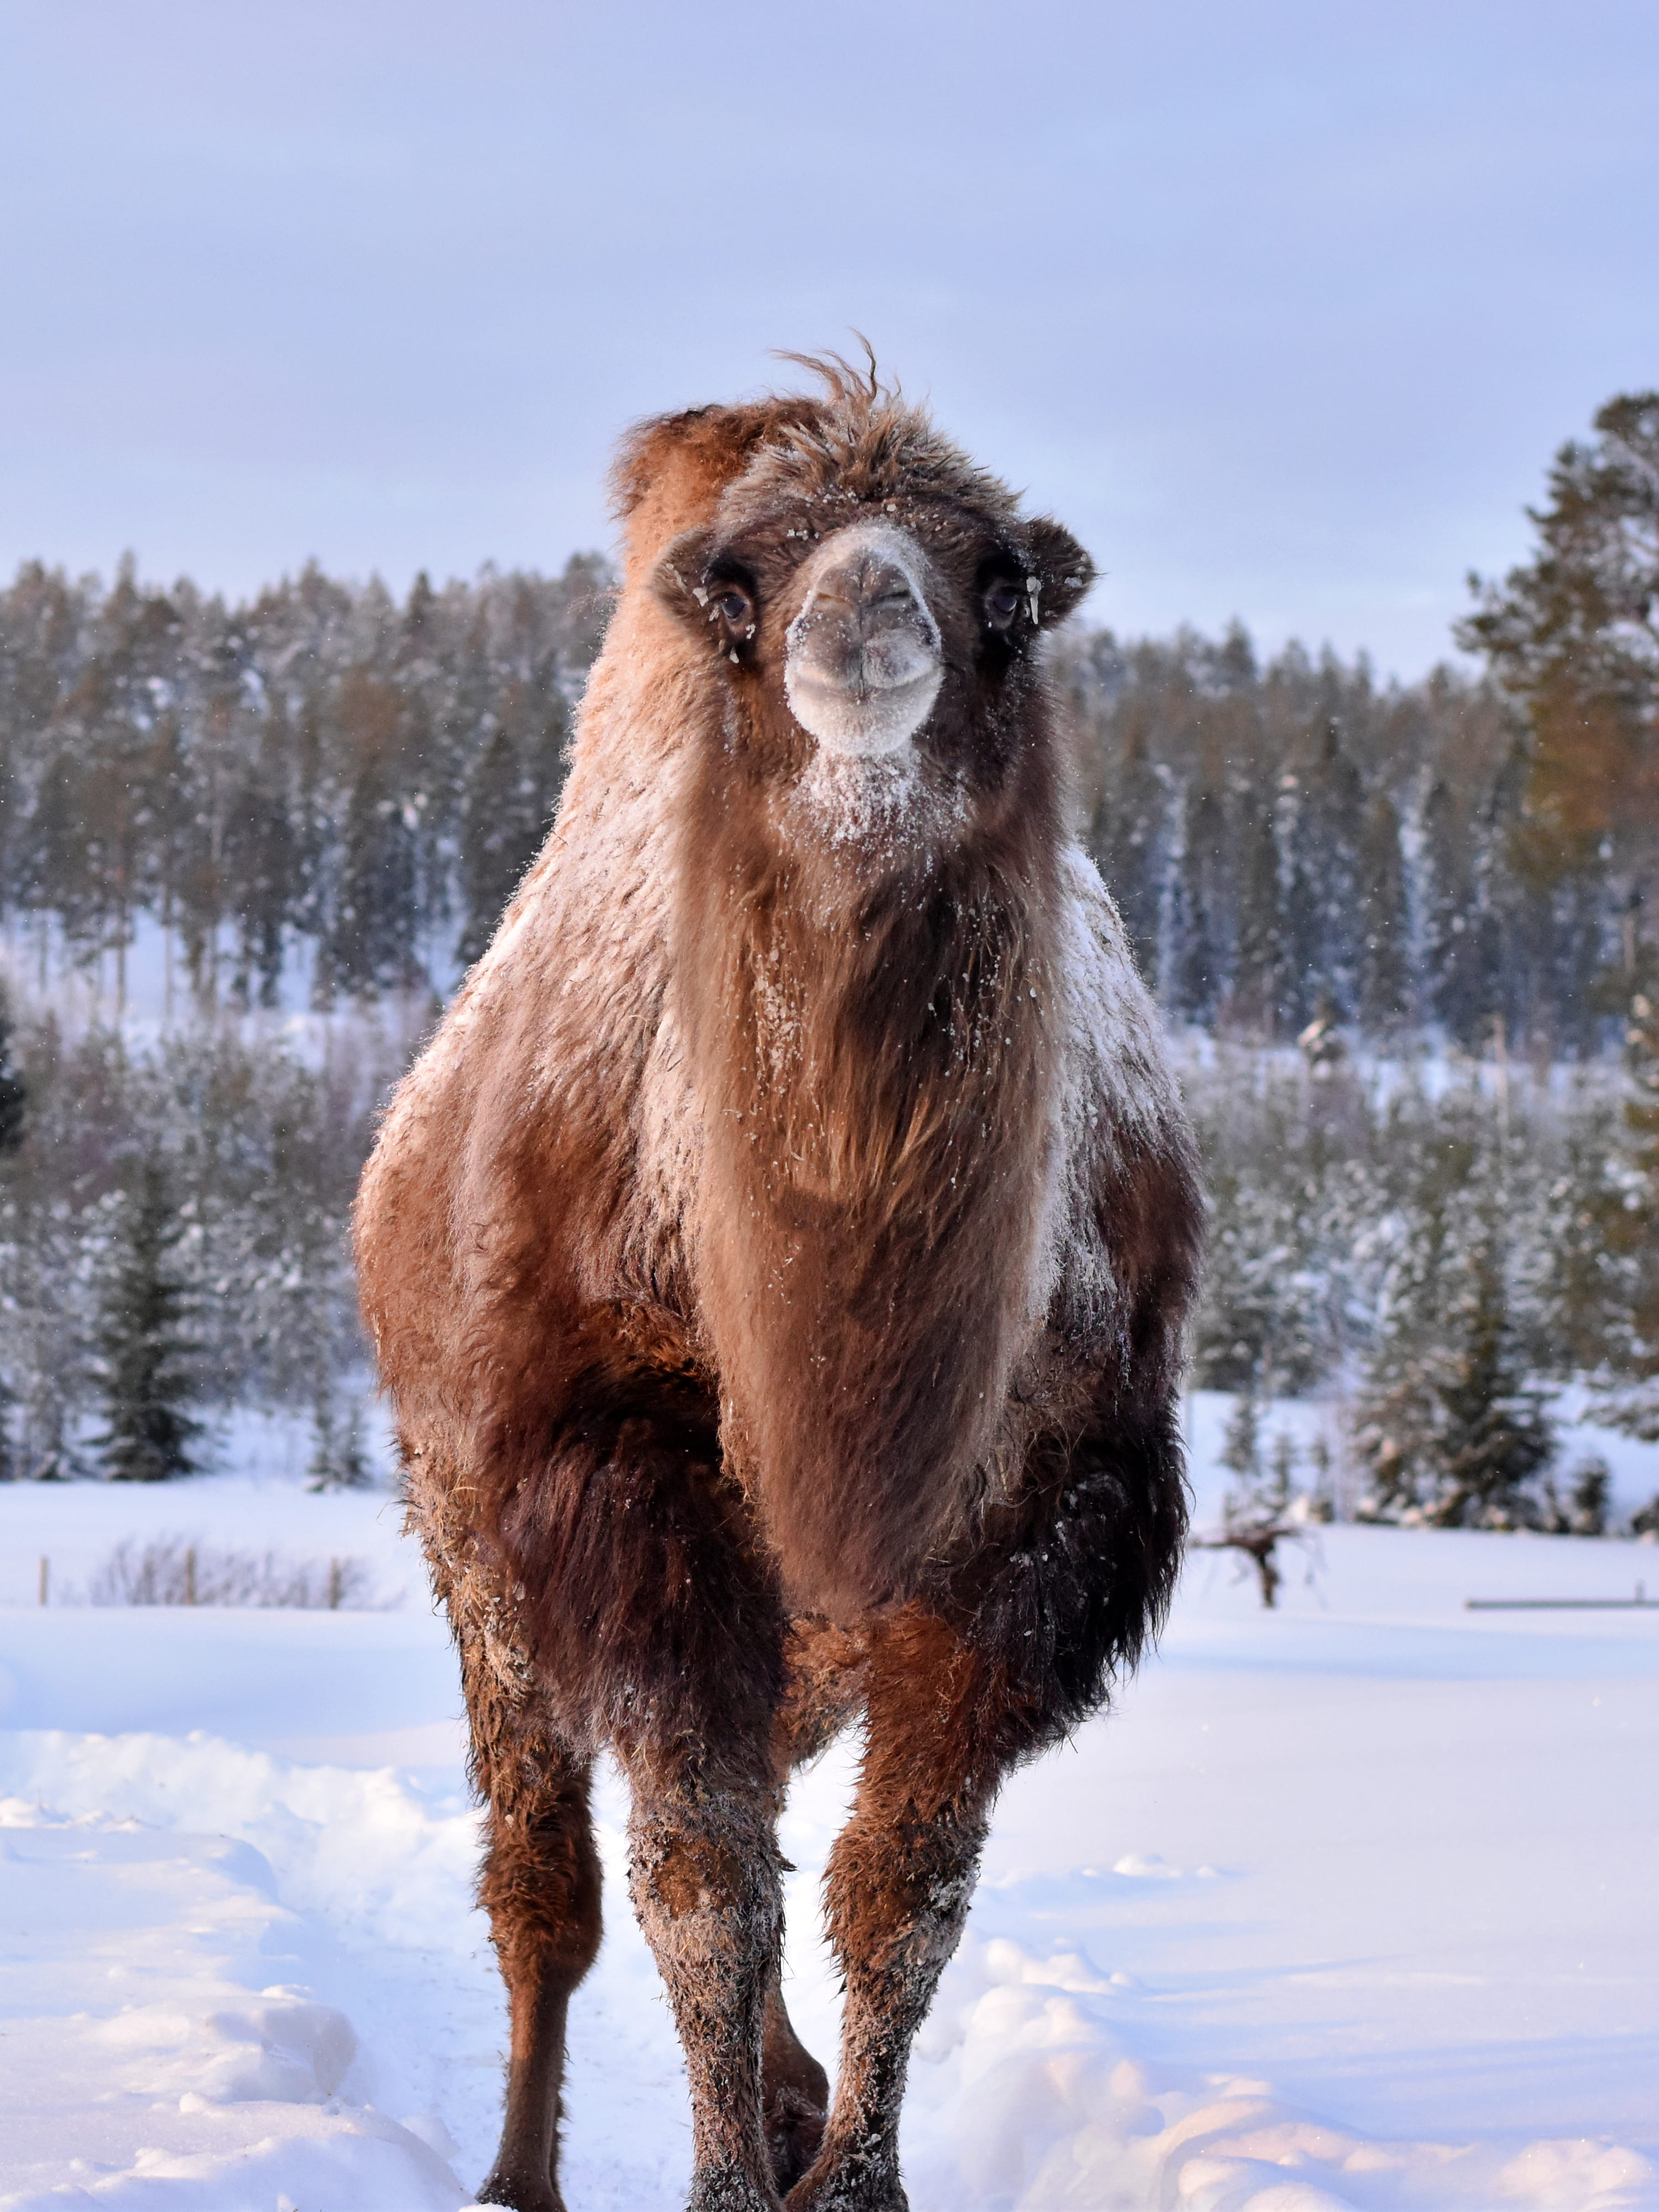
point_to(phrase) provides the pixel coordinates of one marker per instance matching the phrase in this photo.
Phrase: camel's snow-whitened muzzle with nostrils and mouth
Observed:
(864, 656)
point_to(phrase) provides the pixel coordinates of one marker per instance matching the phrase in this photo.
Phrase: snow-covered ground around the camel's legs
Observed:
(1348, 1906)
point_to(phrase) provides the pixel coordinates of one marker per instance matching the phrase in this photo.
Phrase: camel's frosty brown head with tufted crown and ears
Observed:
(868, 603)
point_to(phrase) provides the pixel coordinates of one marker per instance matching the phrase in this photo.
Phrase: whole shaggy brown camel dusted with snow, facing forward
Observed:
(780, 1264)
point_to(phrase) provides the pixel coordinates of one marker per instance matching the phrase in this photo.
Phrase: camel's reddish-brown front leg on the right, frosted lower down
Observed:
(897, 1892)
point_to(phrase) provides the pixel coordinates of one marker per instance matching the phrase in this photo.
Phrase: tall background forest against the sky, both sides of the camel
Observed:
(346, 789)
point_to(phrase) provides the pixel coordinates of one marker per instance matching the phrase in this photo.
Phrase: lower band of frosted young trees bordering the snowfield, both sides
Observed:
(1434, 1235)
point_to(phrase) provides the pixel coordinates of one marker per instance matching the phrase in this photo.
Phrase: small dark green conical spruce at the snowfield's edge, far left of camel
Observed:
(145, 1350)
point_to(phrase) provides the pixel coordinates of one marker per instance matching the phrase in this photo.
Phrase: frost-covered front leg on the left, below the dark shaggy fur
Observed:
(707, 1888)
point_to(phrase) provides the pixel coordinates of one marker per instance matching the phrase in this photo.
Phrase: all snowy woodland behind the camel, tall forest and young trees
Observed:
(1406, 937)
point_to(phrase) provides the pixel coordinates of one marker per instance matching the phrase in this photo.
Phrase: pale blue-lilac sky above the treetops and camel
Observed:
(1282, 309)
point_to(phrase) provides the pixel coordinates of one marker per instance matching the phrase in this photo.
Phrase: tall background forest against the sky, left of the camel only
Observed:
(322, 780)
